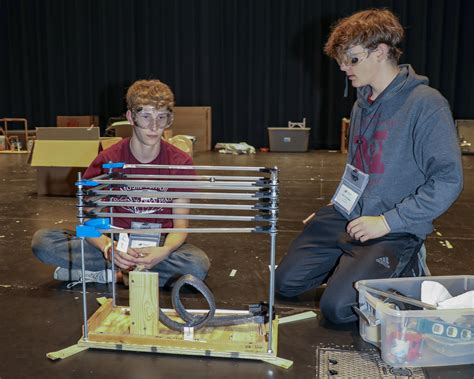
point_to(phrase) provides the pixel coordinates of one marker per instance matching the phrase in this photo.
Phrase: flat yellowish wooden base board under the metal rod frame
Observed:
(109, 328)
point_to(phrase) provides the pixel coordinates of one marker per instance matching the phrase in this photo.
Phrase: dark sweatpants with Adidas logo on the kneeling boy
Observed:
(324, 246)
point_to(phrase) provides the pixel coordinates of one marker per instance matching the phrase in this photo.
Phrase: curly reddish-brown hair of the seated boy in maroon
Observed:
(149, 92)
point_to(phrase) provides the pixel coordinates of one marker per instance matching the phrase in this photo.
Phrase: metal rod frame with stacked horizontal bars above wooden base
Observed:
(213, 182)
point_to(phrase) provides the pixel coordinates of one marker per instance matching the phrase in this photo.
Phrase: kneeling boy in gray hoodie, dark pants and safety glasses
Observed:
(403, 171)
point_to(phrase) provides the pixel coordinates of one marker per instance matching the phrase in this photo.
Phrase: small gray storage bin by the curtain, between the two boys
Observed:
(289, 139)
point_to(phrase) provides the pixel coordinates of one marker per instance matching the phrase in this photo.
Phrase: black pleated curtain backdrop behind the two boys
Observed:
(257, 63)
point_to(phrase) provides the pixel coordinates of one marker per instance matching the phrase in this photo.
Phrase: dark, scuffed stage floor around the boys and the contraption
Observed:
(40, 315)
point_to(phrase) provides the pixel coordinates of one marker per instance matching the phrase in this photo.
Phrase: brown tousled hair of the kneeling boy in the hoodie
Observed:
(368, 28)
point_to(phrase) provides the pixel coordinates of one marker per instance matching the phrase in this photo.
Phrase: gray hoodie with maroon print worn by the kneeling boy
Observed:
(407, 142)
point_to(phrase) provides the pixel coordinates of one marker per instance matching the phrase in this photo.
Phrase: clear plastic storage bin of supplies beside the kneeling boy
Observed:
(417, 338)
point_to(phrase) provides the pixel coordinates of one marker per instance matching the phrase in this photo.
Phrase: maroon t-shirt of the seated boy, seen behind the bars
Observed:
(120, 152)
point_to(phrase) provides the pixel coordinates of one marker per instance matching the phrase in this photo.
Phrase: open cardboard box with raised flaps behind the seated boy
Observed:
(60, 153)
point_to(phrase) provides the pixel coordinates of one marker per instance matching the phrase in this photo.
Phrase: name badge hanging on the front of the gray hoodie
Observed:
(350, 189)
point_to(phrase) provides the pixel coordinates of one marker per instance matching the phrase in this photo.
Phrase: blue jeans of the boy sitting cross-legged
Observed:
(60, 247)
